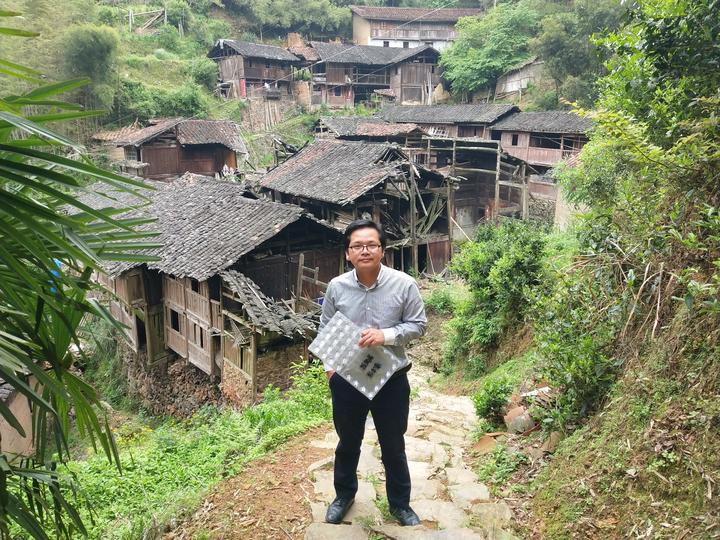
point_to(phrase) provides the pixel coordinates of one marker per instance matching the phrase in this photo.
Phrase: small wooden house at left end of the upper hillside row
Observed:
(253, 69)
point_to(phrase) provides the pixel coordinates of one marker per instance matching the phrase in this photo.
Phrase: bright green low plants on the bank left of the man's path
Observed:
(167, 470)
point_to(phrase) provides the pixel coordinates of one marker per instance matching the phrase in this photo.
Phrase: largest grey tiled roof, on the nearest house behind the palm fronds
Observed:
(205, 225)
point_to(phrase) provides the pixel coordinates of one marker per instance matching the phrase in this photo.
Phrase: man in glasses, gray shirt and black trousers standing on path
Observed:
(387, 305)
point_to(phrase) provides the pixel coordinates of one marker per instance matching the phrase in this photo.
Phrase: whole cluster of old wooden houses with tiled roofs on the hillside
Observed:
(236, 286)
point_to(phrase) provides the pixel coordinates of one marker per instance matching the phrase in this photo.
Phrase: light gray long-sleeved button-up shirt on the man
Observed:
(392, 303)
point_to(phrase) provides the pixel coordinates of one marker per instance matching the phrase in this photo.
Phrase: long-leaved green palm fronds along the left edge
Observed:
(50, 243)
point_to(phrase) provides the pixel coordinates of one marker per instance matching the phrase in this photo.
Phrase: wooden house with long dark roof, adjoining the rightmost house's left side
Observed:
(472, 120)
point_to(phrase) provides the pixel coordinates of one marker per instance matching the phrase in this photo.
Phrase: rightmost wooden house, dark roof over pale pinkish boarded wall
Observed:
(542, 138)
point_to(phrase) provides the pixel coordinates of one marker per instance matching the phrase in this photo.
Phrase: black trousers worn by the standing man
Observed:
(390, 414)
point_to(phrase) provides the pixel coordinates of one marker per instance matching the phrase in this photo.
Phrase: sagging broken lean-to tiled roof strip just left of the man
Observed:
(264, 312)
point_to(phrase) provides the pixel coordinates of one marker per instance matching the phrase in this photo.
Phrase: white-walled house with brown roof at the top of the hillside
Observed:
(406, 27)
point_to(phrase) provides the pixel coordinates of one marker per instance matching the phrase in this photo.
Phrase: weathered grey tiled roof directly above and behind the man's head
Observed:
(334, 170)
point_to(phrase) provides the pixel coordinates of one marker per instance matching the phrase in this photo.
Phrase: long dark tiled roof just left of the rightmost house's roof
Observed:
(475, 113)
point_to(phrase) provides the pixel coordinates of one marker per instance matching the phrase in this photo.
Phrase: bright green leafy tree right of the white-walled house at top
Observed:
(487, 46)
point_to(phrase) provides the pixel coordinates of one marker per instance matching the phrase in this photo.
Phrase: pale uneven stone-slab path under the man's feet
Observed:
(446, 494)
